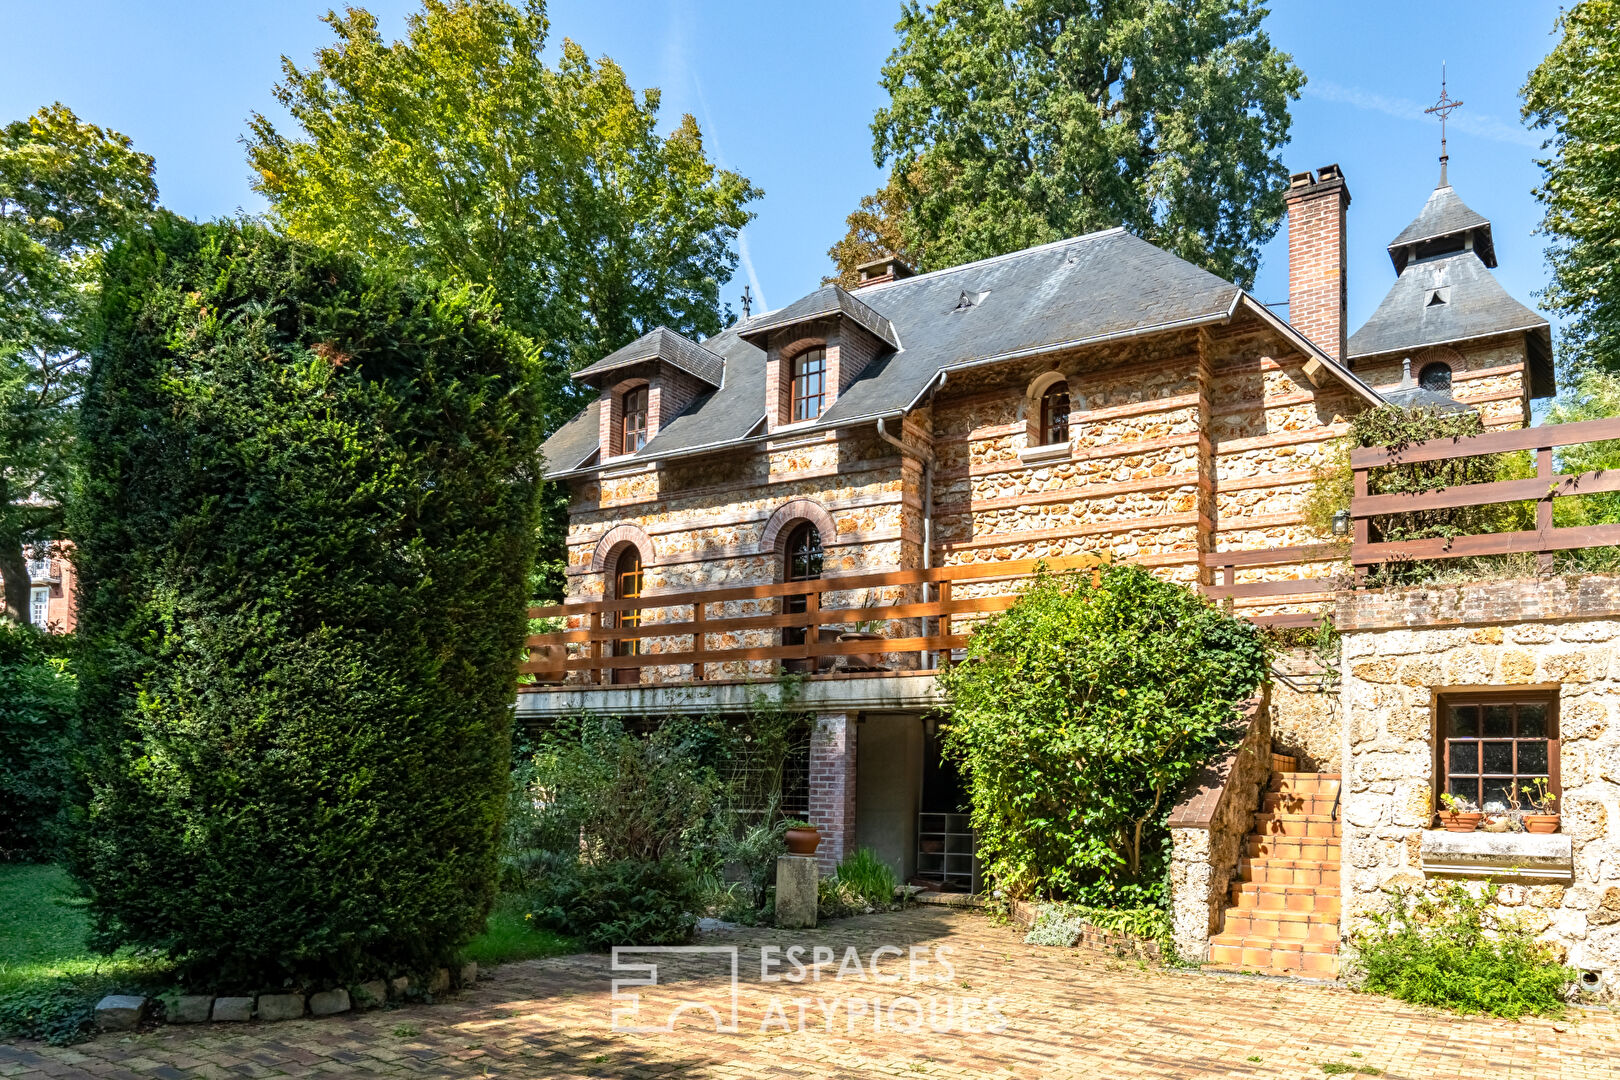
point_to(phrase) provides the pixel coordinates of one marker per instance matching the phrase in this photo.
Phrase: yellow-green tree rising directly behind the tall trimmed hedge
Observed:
(459, 151)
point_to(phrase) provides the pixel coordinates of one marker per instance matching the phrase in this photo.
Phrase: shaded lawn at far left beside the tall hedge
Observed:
(49, 977)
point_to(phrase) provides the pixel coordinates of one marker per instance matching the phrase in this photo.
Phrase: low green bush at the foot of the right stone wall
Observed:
(1452, 951)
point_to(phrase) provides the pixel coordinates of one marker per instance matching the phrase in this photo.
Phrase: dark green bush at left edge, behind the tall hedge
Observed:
(36, 720)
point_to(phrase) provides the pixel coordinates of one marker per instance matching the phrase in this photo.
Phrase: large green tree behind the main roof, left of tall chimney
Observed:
(1018, 122)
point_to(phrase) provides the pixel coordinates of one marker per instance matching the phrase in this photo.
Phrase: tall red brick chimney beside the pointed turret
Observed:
(1316, 257)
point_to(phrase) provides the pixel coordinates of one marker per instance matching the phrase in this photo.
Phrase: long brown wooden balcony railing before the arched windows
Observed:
(599, 642)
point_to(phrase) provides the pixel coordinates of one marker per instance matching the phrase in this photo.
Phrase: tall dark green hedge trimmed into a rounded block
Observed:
(304, 532)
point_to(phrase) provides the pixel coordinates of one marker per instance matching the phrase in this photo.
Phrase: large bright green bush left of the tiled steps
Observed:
(1081, 713)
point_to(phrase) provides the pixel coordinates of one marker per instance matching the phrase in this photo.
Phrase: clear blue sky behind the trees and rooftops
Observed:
(787, 91)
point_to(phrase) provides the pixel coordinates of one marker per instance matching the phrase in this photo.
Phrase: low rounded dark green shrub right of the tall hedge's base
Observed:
(623, 903)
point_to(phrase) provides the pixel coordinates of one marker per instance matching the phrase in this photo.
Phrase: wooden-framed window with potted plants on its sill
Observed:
(1494, 742)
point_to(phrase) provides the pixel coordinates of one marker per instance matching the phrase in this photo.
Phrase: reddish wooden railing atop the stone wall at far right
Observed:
(1546, 487)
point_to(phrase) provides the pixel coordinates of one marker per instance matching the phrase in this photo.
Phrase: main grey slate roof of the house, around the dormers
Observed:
(1060, 296)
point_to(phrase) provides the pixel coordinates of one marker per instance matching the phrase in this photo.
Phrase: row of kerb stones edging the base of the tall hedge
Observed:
(124, 1013)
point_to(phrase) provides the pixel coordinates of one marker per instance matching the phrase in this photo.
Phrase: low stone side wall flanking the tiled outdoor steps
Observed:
(1208, 828)
